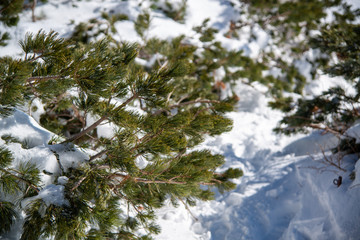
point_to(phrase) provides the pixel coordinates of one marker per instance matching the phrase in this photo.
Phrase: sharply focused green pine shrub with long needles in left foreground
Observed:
(157, 118)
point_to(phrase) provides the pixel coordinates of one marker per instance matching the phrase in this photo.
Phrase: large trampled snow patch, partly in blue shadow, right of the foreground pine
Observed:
(287, 192)
